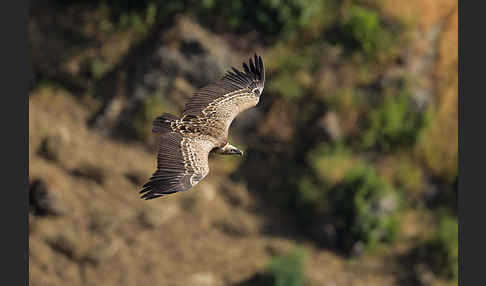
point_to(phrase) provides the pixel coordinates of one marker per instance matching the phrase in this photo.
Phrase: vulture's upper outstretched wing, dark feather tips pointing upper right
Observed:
(235, 92)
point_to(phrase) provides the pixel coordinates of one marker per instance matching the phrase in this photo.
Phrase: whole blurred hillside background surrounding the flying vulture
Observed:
(350, 171)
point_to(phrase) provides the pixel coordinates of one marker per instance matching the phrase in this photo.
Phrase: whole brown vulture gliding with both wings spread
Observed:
(185, 143)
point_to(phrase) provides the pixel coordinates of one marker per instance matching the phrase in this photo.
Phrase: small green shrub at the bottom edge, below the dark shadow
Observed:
(287, 270)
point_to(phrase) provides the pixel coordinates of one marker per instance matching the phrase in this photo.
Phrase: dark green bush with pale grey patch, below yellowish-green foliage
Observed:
(364, 209)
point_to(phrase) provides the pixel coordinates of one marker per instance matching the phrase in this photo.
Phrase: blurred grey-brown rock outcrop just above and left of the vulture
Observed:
(181, 58)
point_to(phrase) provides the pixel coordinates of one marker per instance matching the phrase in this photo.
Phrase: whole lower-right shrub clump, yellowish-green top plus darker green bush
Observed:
(350, 195)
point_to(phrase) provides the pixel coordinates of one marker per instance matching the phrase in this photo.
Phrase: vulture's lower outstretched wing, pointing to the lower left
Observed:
(182, 162)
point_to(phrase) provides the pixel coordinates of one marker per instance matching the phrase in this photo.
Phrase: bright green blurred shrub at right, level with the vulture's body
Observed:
(393, 124)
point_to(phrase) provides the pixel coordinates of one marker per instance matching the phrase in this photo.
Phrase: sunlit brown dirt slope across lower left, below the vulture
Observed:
(215, 234)
